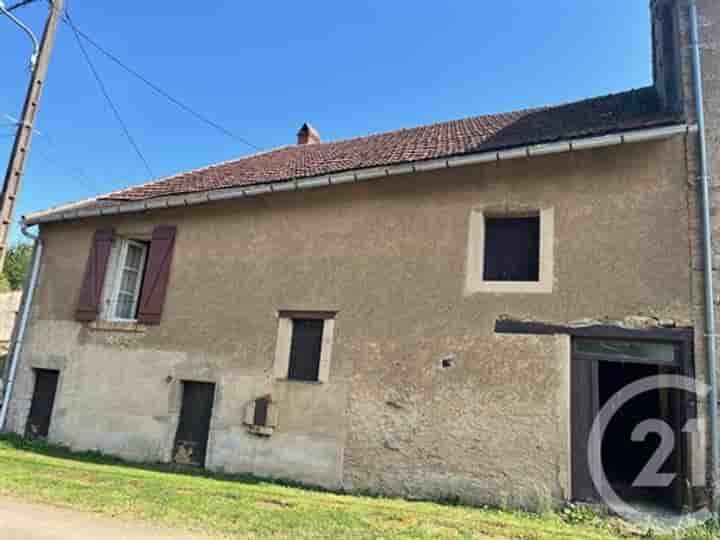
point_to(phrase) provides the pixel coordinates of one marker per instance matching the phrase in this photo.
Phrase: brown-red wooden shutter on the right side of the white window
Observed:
(152, 296)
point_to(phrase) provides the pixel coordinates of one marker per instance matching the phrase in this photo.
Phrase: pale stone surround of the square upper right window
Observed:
(475, 282)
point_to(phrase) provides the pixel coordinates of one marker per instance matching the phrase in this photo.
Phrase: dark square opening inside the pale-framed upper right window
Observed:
(512, 249)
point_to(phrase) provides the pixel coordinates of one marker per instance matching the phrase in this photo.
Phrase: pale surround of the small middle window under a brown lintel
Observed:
(284, 342)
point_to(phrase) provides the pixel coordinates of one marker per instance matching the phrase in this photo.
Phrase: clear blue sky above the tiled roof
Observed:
(263, 68)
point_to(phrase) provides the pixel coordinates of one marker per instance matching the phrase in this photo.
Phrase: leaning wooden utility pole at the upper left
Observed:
(25, 127)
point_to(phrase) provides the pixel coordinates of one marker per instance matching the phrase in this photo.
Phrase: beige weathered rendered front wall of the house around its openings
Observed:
(423, 399)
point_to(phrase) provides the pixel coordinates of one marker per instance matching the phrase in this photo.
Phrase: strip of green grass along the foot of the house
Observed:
(243, 507)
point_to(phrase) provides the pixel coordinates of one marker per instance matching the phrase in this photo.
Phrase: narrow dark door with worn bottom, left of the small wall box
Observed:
(194, 426)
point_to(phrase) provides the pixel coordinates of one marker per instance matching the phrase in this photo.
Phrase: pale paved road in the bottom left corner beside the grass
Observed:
(25, 521)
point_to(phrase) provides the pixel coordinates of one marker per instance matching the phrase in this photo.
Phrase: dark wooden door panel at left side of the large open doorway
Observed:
(585, 404)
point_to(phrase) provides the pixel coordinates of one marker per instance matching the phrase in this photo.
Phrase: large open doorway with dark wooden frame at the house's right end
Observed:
(601, 369)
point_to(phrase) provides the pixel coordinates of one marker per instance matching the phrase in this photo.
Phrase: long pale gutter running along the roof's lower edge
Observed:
(192, 199)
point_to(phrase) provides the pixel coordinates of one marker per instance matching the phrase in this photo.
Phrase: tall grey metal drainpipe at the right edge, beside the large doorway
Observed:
(705, 179)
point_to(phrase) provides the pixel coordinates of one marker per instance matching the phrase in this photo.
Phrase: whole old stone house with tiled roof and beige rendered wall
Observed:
(432, 312)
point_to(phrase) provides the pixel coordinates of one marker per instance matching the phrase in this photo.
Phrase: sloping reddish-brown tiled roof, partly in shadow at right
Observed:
(635, 109)
